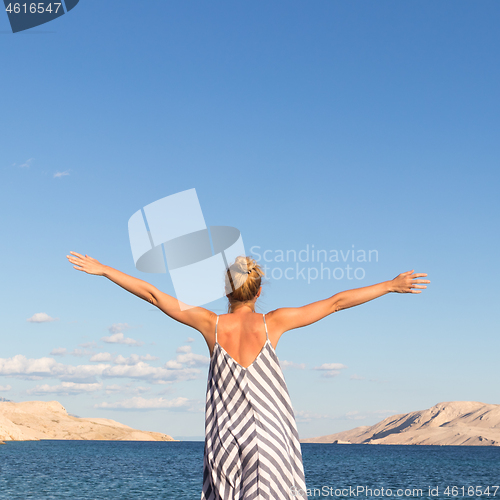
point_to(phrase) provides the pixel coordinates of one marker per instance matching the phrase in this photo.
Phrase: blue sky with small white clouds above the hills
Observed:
(333, 124)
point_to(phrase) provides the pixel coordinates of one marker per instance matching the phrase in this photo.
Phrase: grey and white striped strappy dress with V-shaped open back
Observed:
(252, 448)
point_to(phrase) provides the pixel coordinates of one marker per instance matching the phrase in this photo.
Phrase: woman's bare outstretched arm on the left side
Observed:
(197, 317)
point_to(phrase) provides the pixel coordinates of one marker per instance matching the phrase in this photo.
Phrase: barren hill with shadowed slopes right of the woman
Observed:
(451, 423)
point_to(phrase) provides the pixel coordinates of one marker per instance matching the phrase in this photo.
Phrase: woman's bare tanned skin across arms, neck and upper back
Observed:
(241, 332)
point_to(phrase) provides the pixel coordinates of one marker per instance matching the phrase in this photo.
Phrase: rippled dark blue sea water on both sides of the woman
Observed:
(112, 470)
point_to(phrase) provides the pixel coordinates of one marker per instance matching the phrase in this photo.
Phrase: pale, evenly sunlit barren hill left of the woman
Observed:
(35, 420)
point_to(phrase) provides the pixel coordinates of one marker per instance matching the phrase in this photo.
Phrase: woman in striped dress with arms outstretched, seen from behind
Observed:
(252, 448)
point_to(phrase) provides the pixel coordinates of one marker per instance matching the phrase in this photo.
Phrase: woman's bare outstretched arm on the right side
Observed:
(288, 318)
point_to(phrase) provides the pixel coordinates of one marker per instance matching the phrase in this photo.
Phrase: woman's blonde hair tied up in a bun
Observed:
(243, 280)
